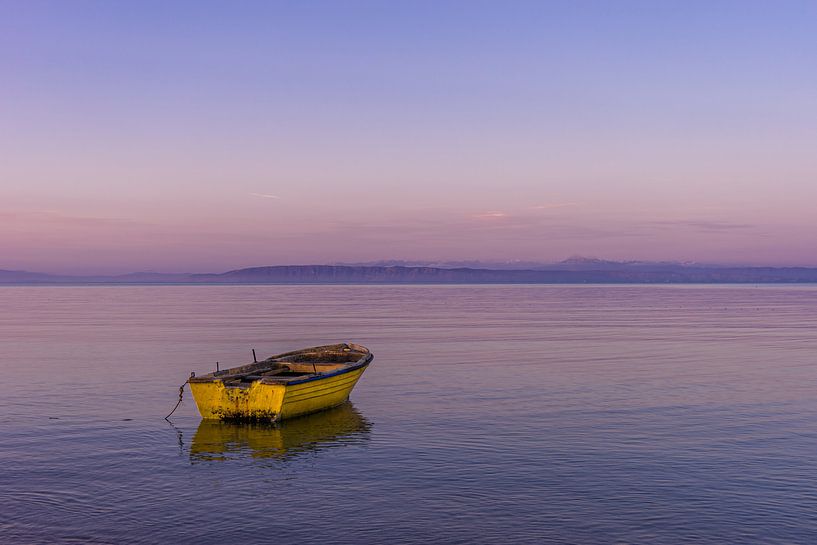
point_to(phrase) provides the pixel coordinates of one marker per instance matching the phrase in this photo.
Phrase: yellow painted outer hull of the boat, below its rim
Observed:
(273, 402)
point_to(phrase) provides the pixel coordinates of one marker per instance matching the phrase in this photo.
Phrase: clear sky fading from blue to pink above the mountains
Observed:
(207, 136)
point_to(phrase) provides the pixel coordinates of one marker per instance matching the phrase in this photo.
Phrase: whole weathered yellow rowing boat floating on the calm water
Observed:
(282, 386)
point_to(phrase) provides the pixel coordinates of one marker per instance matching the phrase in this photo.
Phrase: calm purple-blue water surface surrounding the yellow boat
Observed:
(512, 414)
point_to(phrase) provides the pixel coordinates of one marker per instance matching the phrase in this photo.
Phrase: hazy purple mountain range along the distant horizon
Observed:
(574, 271)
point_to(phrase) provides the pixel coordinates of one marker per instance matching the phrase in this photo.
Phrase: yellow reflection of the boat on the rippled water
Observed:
(219, 440)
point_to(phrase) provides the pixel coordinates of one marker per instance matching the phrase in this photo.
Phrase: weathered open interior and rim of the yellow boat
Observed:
(290, 366)
